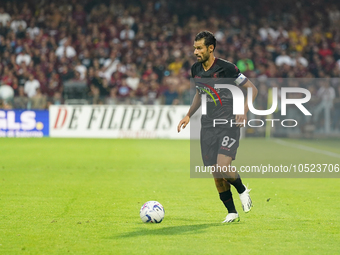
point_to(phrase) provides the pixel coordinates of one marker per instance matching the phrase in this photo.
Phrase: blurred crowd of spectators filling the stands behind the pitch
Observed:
(140, 52)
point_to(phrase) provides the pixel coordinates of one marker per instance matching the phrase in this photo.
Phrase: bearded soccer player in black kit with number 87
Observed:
(219, 144)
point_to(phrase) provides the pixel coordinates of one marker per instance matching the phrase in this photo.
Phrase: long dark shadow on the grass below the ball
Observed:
(174, 230)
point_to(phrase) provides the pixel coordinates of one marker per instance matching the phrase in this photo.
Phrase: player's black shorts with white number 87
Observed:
(216, 141)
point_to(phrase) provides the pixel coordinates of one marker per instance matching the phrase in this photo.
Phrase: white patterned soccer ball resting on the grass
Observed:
(152, 212)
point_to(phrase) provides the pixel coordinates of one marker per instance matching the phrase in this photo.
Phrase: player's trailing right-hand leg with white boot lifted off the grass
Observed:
(234, 179)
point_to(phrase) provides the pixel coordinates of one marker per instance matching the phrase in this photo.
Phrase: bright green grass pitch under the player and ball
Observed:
(82, 196)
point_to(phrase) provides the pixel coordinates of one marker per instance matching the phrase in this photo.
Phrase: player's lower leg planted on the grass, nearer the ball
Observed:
(223, 188)
